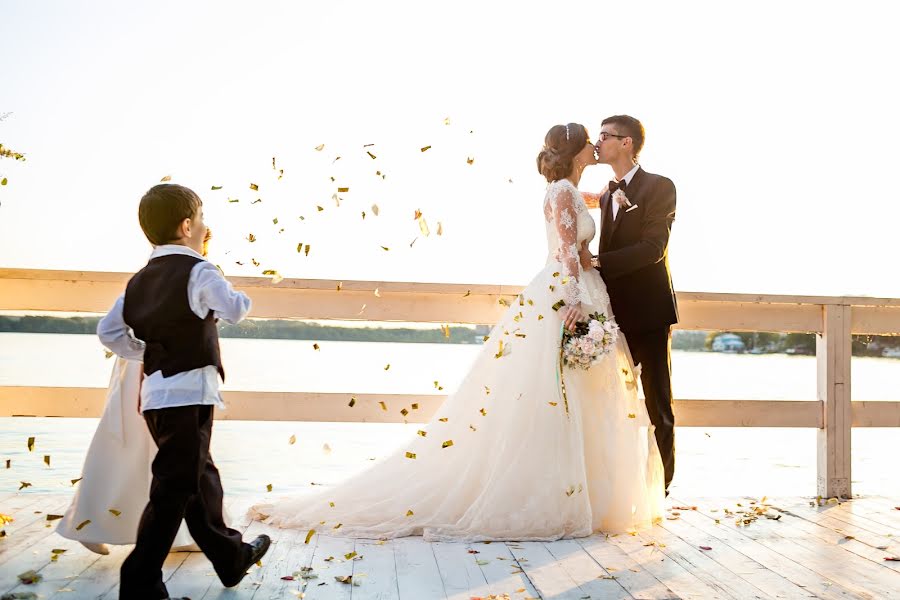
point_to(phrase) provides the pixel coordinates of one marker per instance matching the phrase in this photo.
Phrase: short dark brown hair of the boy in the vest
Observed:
(163, 208)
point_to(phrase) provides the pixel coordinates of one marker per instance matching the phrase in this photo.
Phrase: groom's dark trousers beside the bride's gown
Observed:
(653, 350)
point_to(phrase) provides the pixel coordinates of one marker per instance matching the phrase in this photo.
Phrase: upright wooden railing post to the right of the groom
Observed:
(833, 351)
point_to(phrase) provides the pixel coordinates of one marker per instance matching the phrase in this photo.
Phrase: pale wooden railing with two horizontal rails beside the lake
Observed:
(833, 319)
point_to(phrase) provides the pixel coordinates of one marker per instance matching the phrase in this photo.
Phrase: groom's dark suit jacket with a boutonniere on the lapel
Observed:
(634, 257)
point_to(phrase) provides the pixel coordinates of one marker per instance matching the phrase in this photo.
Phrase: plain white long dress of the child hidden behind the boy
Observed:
(115, 484)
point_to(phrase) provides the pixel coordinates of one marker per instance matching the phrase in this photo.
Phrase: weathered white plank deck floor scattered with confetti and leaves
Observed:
(784, 548)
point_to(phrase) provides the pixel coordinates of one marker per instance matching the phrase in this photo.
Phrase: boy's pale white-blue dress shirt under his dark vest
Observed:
(207, 290)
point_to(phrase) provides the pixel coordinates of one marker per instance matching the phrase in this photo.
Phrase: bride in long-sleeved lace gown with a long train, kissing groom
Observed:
(507, 457)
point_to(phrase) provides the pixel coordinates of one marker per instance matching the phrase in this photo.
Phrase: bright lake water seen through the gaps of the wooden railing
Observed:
(250, 455)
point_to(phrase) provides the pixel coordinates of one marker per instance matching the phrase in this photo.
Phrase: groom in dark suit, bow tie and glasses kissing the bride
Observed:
(634, 262)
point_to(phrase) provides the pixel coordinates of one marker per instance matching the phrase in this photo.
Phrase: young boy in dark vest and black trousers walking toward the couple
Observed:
(167, 318)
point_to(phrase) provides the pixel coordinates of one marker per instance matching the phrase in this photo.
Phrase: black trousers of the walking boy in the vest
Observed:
(185, 486)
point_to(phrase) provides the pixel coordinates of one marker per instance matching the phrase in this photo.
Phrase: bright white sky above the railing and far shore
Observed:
(776, 120)
